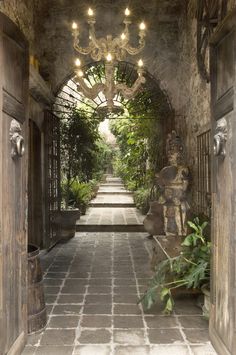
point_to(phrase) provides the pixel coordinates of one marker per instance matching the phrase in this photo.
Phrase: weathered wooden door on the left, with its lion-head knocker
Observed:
(13, 187)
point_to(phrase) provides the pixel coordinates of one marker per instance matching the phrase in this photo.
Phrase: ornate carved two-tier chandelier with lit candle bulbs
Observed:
(111, 50)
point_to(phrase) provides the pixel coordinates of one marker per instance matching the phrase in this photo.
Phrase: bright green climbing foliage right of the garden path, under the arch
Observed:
(139, 137)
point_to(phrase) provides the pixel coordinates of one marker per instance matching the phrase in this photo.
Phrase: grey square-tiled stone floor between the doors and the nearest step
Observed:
(92, 284)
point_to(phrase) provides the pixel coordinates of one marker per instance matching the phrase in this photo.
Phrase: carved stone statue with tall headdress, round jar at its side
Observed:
(167, 215)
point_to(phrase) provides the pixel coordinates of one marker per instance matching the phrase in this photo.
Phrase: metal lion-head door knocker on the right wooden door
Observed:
(220, 138)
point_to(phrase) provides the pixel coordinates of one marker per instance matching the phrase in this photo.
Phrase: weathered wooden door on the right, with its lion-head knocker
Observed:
(223, 288)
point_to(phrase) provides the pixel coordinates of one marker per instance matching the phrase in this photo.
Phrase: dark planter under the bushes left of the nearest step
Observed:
(65, 222)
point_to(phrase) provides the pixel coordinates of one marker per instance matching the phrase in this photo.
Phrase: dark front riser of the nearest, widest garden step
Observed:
(126, 228)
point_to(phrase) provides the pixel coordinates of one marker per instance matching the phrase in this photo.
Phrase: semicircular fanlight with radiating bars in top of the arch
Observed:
(68, 95)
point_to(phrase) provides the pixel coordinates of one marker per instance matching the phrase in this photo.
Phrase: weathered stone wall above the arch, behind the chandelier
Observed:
(54, 37)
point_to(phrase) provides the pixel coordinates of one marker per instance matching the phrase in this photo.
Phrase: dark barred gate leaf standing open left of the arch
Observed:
(52, 172)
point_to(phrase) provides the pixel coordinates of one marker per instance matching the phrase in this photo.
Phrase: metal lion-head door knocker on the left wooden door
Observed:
(16, 139)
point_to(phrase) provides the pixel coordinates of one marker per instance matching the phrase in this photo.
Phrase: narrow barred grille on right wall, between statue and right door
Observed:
(204, 174)
